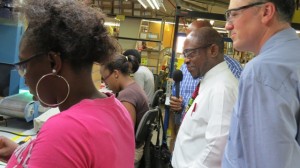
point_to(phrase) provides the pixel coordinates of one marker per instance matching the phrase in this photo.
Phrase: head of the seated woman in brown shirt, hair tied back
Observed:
(116, 73)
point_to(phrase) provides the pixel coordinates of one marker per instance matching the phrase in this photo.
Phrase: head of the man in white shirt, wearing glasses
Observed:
(202, 50)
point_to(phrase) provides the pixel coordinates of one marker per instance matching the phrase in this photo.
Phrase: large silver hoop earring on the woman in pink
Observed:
(37, 93)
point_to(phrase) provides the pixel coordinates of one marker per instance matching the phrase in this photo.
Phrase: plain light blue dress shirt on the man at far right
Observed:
(264, 129)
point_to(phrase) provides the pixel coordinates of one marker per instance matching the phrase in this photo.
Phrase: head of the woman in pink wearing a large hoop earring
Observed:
(58, 49)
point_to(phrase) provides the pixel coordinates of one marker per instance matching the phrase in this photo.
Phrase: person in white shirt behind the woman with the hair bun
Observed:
(143, 76)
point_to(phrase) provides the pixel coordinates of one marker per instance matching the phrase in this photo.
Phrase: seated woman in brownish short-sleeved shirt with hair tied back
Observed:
(116, 75)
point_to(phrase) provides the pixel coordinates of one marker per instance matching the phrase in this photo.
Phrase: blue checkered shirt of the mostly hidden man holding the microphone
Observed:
(188, 83)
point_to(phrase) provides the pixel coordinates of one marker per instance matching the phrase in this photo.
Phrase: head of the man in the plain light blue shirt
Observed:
(252, 23)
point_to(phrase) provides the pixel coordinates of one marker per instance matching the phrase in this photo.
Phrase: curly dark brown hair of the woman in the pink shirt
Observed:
(70, 28)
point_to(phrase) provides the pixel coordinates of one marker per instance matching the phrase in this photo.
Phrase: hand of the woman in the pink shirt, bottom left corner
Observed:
(7, 147)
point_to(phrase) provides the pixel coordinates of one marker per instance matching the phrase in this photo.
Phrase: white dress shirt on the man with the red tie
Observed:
(203, 133)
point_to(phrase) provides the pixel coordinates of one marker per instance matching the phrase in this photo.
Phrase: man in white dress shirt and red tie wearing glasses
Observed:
(204, 130)
